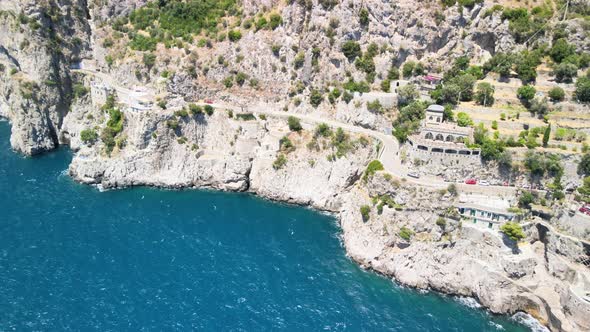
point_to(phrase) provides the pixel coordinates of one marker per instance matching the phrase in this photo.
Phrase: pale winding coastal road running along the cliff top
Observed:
(388, 156)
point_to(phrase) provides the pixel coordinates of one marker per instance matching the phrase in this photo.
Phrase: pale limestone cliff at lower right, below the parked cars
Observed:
(537, 277)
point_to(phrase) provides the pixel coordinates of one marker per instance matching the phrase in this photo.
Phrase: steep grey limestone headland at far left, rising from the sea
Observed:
(39, 40)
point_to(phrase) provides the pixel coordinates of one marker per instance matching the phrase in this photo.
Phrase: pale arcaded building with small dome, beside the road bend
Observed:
(442, 141)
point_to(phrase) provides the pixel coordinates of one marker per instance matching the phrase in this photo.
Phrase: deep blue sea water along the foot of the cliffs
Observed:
(75, 259)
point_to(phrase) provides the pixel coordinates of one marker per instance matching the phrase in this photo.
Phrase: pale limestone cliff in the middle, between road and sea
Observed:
(216, 151)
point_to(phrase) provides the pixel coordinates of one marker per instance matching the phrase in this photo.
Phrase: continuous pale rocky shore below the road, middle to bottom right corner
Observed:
(457, 259)
